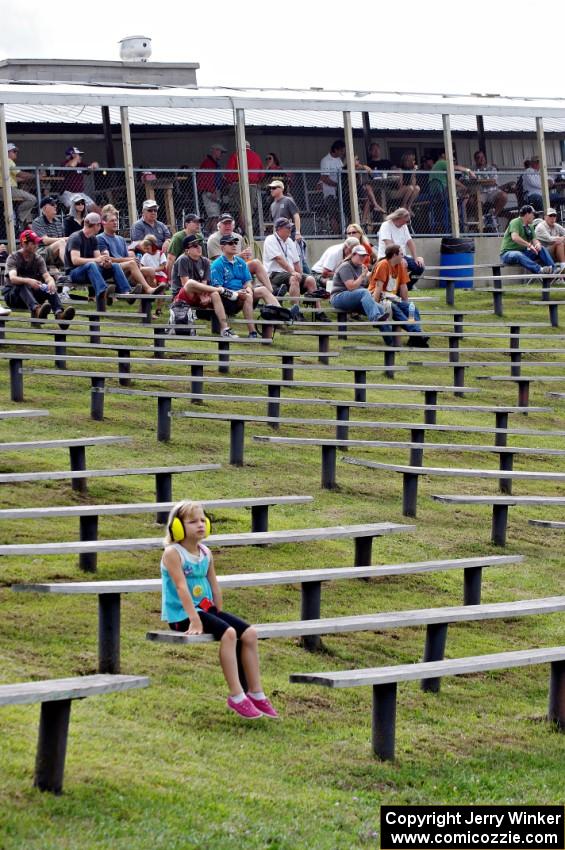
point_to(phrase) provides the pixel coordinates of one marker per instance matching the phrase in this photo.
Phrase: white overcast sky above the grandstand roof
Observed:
(408, 46)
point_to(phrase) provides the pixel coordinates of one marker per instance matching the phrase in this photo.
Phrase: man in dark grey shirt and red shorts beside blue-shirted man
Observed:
(191, 283)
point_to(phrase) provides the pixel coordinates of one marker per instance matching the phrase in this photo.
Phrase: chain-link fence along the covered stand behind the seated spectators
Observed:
(486, 199)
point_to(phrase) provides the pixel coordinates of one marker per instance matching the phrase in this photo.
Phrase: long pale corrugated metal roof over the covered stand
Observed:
(66, 103)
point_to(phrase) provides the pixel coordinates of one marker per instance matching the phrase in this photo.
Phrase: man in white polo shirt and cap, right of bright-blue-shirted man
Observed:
(285, 269)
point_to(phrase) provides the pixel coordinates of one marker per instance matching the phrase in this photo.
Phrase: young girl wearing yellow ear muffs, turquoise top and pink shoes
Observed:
(192, 603)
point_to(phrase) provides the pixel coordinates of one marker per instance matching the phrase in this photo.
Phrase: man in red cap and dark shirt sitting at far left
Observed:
(30, 286)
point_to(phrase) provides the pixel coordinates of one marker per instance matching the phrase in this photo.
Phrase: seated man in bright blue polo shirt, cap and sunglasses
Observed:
(231, 273)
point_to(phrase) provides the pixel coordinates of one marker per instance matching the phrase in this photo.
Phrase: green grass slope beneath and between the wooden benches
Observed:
(169, 767)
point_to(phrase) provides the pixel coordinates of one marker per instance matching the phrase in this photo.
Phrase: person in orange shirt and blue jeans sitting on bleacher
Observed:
(389, 280)
